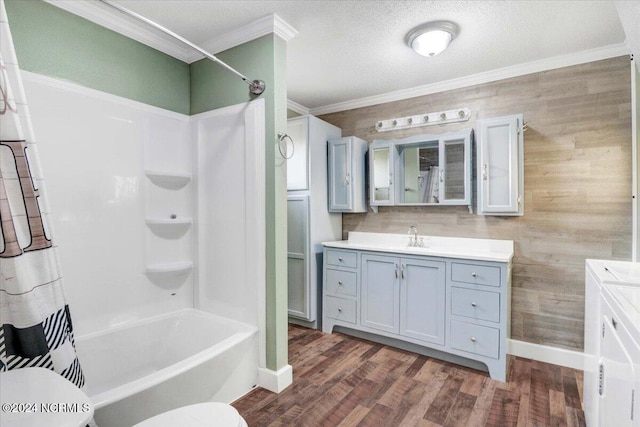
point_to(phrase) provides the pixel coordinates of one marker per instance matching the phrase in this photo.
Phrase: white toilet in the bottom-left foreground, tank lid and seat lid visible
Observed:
(40, 386)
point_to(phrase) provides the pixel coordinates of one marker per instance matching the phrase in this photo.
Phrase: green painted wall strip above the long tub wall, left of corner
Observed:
(53, 42)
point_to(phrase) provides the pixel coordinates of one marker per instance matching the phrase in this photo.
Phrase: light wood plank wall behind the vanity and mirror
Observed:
(577, 185)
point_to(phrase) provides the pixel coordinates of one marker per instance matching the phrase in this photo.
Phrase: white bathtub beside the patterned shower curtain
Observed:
(141, 369)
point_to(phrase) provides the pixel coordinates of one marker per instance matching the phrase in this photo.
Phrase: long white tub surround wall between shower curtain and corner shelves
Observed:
(94, 150)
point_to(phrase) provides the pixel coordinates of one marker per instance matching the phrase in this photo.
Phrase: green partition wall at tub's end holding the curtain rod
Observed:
(214, 87)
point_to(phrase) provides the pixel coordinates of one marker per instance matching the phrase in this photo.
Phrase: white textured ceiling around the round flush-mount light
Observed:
(348, 50)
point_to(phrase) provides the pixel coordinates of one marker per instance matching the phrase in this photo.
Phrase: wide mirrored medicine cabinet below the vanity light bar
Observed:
(422, 170)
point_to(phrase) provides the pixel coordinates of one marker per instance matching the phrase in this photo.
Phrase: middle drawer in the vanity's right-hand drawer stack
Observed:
(482, 305)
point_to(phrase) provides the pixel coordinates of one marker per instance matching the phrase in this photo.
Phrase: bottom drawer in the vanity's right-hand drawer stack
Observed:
(476, 339)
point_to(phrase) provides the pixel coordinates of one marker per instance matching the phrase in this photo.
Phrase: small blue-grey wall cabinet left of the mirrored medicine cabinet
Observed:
(346, 157)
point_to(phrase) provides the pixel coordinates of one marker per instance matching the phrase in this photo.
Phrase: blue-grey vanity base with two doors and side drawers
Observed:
(459, 307)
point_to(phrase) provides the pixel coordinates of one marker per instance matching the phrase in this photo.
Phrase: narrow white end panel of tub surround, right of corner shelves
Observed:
(230, 212)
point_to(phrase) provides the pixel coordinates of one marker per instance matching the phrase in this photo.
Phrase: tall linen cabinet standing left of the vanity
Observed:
(309, 221)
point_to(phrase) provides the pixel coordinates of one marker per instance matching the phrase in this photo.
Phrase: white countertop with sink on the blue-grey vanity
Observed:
(448, 247)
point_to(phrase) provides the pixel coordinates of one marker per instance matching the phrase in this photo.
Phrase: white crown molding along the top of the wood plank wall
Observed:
(546, 64)
